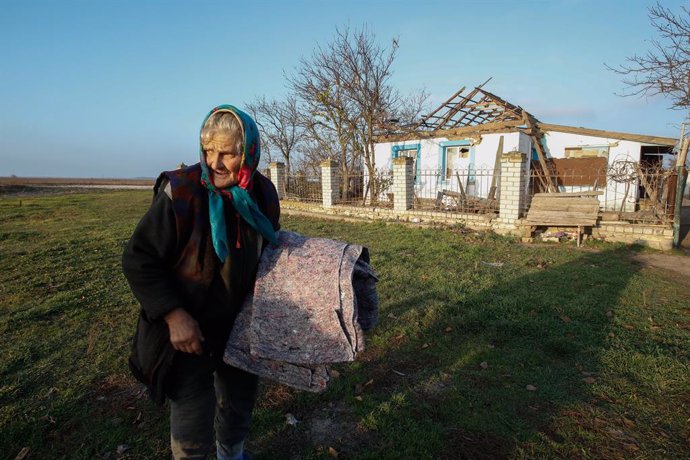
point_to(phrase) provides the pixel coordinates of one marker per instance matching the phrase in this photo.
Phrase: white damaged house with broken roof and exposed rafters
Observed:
(456, 152)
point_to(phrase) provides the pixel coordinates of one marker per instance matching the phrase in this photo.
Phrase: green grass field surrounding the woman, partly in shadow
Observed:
(558, 353)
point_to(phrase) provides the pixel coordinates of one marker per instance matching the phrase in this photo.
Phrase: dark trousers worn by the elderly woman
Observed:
(208, 396)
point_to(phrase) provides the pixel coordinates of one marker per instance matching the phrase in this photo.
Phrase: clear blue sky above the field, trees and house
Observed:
(118, 89)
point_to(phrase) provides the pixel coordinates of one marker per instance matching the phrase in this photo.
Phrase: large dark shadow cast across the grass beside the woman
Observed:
(451, 375)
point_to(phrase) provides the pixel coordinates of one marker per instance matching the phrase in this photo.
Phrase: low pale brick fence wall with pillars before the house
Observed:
(511, 191)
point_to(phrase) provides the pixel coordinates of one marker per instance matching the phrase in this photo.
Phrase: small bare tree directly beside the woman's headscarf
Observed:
(279, 123)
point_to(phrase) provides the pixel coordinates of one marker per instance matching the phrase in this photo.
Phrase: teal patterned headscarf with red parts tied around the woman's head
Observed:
(238, 194)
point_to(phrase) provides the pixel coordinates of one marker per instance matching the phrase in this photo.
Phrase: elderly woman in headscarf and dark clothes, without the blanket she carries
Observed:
(190, 262)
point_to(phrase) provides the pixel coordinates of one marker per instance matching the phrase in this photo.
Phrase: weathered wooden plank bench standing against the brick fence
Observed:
(574, 209)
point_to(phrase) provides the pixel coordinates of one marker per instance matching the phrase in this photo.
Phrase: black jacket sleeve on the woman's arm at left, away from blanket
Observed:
(148, 258)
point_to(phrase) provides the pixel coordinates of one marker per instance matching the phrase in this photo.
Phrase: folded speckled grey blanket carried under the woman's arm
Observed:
(312, 299)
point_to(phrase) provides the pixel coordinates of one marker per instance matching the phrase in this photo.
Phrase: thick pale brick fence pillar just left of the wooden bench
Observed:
(514, 181)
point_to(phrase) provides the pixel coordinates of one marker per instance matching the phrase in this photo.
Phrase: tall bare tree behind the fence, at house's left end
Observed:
(346, 96)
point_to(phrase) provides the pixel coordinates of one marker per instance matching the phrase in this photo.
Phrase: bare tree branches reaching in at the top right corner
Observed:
(665, 68)
